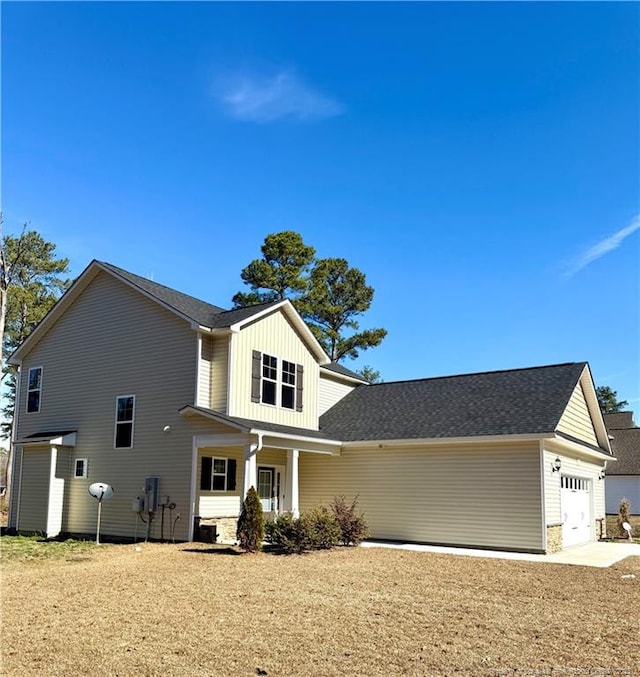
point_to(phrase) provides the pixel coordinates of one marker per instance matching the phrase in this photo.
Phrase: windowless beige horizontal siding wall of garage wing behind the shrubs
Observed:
(487, 497)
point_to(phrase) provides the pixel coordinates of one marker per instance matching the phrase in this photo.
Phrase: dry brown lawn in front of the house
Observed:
(184, 610)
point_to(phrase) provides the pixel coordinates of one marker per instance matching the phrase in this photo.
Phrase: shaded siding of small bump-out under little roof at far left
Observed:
(34, 496)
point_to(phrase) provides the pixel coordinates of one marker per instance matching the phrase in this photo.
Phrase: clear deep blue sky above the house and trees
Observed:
(479, 162)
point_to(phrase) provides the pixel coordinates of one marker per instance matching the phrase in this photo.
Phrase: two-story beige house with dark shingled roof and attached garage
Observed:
(182, 406)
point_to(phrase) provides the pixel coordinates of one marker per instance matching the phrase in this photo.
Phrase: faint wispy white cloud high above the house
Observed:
(284, 95)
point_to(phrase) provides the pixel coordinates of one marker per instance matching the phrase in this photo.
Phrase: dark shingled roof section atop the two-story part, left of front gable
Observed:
(199, 311)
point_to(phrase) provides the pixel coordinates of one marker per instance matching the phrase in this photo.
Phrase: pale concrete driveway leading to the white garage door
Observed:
(601, 554)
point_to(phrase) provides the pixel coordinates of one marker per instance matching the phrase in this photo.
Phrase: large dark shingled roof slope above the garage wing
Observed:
(520, 401)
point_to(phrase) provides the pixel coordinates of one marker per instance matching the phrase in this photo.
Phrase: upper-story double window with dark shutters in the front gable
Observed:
(276, 381)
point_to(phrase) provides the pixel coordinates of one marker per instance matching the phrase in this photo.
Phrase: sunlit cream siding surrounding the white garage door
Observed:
(574, 467)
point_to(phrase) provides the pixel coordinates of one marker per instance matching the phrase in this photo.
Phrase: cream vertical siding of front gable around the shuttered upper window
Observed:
(275, 336)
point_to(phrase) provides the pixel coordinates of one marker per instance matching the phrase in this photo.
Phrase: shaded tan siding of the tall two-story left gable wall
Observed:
(114, 341)
